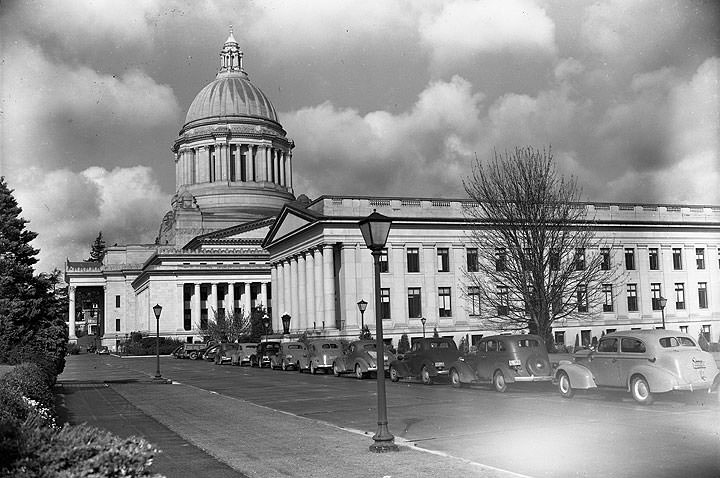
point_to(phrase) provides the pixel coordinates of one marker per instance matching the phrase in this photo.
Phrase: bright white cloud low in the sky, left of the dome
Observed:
(68, 209)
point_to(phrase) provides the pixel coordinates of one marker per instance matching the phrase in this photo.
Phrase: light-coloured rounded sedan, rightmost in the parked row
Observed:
(642, 362)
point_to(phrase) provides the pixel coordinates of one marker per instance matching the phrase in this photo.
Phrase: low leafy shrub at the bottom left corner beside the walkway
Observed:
(81, 450)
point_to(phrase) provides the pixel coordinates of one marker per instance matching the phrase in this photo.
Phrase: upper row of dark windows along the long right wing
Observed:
(443, 259)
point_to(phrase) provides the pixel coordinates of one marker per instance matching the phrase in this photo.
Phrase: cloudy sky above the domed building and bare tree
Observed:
(381, 97)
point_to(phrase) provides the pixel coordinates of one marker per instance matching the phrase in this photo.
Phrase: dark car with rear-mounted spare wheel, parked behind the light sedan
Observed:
(503, 359)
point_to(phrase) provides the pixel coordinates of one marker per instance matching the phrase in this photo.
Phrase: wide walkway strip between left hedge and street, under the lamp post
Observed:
(203, 433)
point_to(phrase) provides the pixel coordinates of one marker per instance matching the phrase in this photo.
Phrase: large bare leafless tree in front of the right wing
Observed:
(539, 259)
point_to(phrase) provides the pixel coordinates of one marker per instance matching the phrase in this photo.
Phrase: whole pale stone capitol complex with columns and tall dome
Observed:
(237, 237)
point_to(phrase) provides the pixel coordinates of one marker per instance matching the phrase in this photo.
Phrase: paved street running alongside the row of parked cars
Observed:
(529, 430)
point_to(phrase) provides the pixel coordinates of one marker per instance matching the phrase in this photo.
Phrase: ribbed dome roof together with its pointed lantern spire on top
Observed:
(231, 96)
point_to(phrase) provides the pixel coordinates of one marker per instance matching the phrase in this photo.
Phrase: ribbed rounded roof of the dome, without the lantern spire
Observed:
(230, 94)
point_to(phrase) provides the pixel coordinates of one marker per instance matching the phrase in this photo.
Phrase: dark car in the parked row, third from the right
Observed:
(428, 360)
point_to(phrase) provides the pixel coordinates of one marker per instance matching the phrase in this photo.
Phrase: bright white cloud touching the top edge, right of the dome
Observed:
(465, 28)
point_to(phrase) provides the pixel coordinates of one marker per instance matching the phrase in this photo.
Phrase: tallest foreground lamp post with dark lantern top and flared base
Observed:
(375, 229)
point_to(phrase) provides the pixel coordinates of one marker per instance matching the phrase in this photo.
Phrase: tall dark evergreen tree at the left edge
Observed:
(32, 325)
